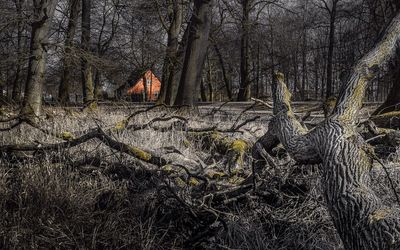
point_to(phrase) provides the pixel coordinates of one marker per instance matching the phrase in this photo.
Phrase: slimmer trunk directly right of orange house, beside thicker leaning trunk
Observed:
(171, 57)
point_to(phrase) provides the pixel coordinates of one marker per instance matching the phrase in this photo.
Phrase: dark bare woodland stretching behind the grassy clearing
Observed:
(207, 50)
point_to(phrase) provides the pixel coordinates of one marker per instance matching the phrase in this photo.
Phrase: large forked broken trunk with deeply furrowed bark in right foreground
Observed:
(359, 215)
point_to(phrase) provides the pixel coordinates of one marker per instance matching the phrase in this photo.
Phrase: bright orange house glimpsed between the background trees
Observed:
(153, 86)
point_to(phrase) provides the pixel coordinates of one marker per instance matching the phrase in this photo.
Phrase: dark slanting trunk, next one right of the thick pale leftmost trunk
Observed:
(64, 89)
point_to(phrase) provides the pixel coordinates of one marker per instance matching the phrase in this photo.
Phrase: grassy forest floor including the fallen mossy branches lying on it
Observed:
(95, 194)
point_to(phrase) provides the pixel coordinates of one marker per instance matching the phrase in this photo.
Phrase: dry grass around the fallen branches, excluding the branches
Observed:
(54, 204)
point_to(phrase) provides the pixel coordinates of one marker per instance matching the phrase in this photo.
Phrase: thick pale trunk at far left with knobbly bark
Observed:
(43, 13)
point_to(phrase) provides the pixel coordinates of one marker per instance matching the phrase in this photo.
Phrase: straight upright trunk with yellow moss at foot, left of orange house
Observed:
(87, 74)
